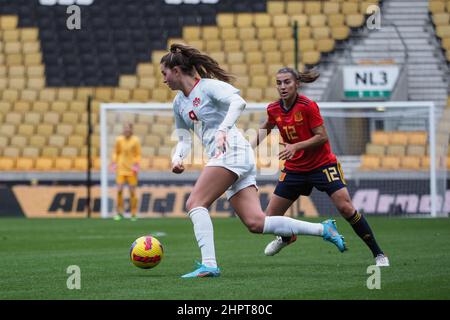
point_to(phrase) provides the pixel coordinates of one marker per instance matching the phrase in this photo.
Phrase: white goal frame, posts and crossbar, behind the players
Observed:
(104, 107)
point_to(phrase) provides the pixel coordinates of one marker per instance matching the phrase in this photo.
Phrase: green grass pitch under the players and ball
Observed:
(35, 254)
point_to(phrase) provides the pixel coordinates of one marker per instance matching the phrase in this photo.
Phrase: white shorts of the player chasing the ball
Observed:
(242, 163)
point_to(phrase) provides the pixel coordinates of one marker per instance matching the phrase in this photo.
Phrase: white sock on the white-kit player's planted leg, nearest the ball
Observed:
(204, 233)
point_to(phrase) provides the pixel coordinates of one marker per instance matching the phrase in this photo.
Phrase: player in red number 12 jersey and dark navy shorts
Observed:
(309, 160)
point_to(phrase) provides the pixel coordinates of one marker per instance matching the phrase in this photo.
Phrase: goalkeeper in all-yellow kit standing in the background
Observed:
(126, 159)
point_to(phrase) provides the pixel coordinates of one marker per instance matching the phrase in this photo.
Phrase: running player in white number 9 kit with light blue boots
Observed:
(211, 108)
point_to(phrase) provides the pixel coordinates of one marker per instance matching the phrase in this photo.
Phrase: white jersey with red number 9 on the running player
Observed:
(204, 110)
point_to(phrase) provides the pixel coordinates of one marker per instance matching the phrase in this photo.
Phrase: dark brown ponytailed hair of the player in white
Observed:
(191, 60)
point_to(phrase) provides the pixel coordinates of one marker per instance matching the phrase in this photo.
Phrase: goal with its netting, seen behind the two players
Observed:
(393, 154)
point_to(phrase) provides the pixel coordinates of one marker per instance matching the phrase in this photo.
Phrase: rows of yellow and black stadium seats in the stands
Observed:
(47, 71)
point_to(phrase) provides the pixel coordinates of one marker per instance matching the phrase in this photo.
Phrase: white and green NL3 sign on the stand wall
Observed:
(370, 81)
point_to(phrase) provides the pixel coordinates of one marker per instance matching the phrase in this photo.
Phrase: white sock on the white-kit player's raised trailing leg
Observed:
(286, 227)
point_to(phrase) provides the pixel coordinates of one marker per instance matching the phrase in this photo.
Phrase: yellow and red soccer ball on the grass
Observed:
(146, 252)
